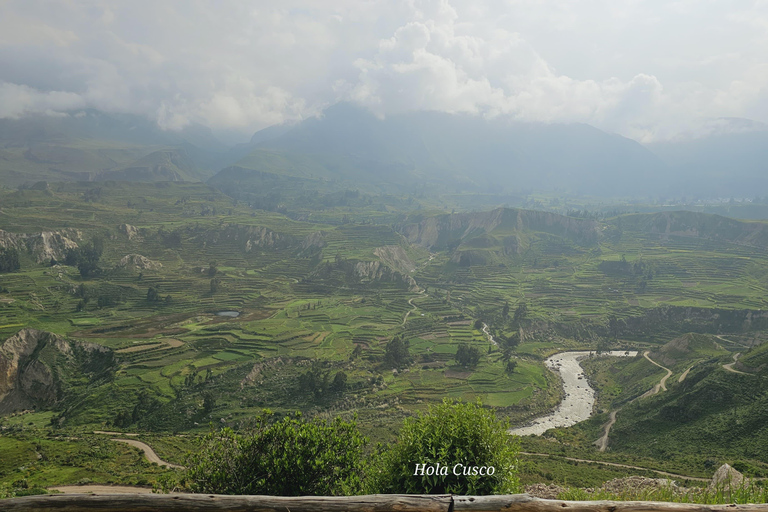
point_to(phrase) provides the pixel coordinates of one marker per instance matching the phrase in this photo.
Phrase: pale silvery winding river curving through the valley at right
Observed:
(579, 395)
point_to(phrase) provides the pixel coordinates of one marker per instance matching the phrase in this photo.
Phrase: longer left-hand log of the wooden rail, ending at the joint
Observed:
(221, 503)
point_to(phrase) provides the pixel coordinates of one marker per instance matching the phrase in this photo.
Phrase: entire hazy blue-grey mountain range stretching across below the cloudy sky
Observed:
(418, 152)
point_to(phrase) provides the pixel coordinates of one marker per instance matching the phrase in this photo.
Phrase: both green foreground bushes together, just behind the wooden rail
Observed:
(294, 457)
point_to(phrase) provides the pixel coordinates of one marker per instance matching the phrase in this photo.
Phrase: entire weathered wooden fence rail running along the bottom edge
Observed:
(371, 503)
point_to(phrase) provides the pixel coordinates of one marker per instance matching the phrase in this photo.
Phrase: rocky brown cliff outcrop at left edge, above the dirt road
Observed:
(36, 365)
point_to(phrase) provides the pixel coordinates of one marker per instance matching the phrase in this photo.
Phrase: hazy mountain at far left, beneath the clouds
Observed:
(86, 144)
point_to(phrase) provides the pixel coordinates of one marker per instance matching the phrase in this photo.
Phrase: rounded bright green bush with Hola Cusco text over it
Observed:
(449, 438)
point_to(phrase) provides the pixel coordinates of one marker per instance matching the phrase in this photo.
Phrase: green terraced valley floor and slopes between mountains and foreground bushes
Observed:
(165, 308)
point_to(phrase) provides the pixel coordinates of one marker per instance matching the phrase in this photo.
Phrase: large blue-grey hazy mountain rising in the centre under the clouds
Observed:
(455, 153)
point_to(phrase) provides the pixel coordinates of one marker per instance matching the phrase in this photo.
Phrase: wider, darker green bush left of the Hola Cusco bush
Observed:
(288, 458)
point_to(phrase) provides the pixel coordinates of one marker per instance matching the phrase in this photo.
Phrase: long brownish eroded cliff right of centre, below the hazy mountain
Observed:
(441, 231)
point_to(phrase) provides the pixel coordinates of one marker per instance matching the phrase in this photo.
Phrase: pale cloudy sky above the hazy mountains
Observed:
(650, 70)
